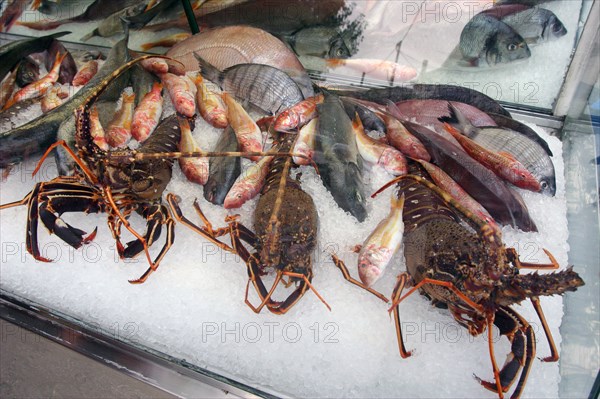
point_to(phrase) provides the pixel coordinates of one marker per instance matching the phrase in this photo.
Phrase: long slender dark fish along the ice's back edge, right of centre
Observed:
(429, 92)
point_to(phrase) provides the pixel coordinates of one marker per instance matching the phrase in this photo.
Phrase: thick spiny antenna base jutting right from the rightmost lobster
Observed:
(535, 284)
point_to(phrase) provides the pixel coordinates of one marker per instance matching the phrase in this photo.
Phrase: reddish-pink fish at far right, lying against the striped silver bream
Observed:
(507, 168)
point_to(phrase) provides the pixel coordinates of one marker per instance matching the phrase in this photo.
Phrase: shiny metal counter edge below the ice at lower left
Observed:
(170, 374)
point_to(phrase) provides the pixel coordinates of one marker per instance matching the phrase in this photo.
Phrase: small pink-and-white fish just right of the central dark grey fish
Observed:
(375, 152)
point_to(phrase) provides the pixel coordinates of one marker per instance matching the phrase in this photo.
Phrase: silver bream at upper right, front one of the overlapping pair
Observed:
(487, 41)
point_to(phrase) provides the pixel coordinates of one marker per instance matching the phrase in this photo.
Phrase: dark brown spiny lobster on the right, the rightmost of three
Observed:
(460, 262)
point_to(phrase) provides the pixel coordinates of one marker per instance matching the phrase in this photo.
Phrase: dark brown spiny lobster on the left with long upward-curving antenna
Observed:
(116, 182)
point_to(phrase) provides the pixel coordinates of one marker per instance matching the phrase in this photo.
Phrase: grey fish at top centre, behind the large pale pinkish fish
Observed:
(319, 41)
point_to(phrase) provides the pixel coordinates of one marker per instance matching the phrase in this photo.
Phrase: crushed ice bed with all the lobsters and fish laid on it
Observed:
(253, 215)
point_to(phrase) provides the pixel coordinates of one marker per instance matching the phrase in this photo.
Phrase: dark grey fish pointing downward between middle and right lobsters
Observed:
(337, 157)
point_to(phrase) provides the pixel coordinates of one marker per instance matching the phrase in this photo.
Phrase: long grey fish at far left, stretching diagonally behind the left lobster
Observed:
(34, 137)
